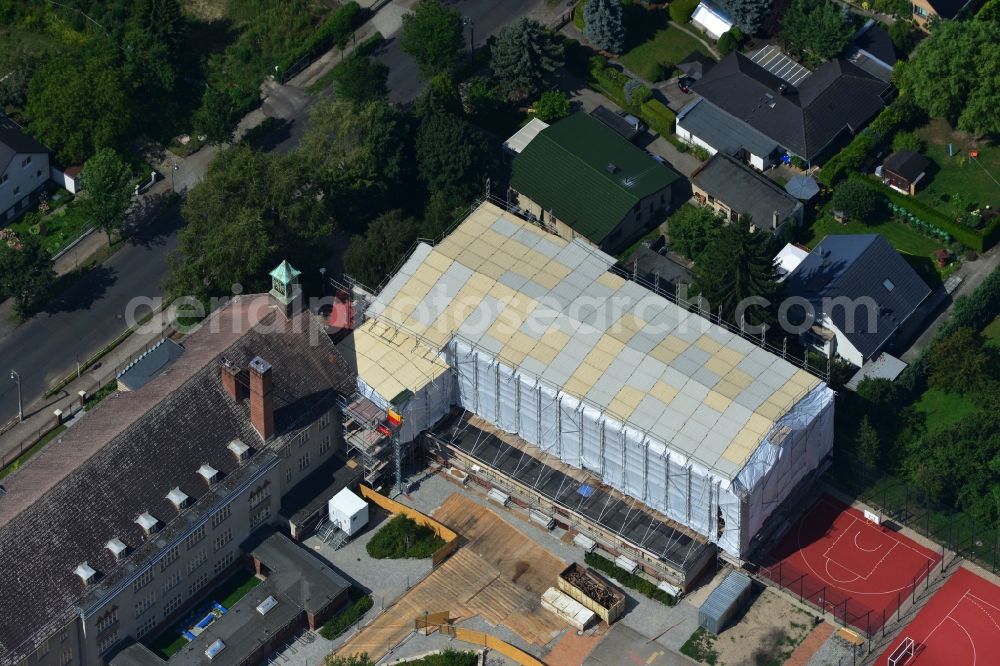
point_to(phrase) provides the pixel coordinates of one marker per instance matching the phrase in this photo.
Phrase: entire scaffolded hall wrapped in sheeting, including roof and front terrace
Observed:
(522, 359)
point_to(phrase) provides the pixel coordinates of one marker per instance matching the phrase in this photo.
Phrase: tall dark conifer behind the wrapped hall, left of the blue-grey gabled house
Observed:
(738, 264)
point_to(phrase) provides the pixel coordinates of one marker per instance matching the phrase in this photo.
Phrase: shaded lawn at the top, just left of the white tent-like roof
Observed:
(654, 45)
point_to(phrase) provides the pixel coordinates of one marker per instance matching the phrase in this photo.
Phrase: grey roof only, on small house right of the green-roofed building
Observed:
(745, 191)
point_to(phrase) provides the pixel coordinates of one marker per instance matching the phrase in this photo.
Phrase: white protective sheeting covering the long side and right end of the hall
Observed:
(639, 465)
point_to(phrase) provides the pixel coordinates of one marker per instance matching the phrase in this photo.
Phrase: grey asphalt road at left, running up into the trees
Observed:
(85, 318)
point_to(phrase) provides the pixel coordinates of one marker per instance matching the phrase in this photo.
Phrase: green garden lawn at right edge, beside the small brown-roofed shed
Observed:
(959, 181)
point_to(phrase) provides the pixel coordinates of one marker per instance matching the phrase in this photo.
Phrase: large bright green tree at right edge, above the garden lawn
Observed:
(954, 74)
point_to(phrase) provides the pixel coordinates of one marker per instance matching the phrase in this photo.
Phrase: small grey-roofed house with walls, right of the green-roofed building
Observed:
(733, 190)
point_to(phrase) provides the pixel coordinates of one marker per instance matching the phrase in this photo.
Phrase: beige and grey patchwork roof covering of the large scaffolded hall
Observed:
(550, 309)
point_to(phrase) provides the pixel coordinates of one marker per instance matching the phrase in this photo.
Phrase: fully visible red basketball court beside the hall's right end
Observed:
(848, 565)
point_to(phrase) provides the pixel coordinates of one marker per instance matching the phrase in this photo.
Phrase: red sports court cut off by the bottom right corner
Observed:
(959, 626)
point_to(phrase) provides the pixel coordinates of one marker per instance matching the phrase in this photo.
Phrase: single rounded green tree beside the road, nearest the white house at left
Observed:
(107, 184)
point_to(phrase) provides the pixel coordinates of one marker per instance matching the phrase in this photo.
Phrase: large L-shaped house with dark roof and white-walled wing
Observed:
(767, 117)
